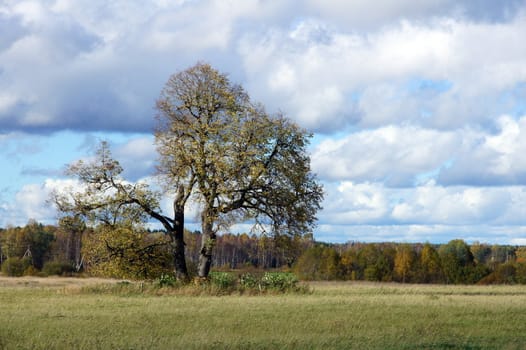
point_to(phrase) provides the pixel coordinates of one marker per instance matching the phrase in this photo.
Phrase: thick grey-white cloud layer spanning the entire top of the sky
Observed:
(100, 65)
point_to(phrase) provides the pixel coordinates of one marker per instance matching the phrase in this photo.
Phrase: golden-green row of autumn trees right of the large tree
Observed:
(455, 262)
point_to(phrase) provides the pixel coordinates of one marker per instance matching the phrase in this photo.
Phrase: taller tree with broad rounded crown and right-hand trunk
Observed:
(240, 163)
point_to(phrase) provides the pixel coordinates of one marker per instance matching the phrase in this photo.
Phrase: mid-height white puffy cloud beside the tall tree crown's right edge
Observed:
(395, 155)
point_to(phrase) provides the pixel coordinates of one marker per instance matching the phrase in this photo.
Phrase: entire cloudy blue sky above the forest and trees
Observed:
(418, 108)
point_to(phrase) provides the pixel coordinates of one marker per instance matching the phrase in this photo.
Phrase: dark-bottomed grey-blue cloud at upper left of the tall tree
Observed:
(100, 65)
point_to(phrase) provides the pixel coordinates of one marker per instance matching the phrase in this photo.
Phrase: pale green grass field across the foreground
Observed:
(58, 313)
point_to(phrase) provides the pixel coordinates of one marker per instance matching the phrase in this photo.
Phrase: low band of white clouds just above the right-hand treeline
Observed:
(373, 212)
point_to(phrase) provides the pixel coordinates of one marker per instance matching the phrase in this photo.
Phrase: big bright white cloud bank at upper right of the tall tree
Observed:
(327, 78)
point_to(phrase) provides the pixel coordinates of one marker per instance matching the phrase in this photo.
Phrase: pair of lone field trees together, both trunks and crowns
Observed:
(217, 148)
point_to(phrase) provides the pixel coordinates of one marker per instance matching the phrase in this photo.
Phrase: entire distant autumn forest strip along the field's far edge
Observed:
(71, 248)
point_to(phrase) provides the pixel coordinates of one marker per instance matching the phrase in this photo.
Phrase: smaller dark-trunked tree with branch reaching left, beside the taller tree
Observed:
(108, 200)
